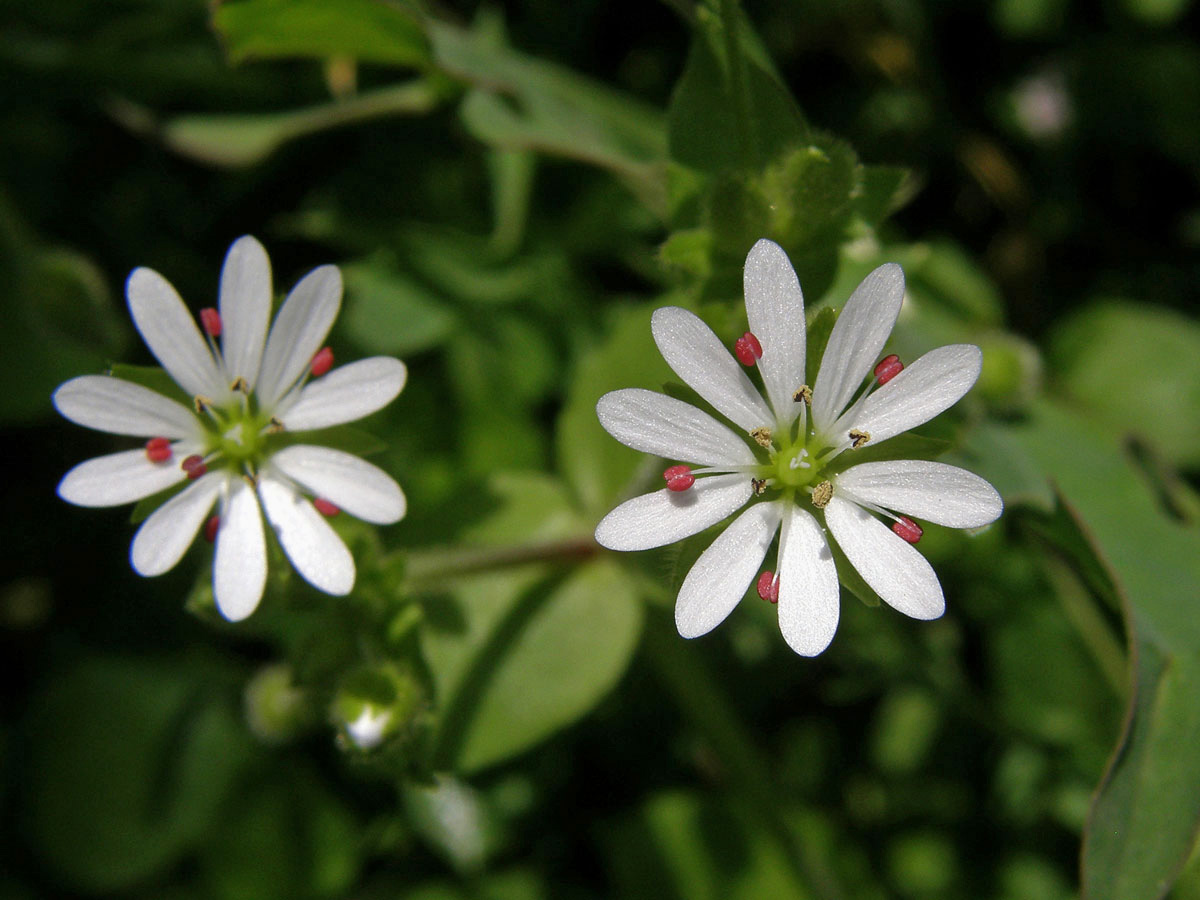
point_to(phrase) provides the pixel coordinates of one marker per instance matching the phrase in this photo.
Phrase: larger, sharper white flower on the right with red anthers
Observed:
(794, 471)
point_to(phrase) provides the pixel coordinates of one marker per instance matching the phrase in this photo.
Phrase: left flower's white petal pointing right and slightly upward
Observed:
(346, 394)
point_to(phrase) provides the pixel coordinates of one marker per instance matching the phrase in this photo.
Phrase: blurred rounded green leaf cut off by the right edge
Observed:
(1137, 369)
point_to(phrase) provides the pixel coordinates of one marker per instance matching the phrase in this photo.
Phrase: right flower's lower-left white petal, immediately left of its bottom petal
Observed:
(725, 571)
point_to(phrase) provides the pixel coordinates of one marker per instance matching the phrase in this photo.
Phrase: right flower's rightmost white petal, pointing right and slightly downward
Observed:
(934, 491)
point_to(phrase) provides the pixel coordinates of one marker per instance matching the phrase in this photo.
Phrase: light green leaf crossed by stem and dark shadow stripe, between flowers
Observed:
(518, 655)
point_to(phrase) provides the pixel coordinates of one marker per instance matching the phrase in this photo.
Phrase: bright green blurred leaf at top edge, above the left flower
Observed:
(368, 31)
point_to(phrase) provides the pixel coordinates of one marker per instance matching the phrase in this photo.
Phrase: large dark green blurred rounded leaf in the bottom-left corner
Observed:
(133, 761)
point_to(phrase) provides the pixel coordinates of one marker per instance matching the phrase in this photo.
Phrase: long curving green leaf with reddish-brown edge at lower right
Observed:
(1145, 815)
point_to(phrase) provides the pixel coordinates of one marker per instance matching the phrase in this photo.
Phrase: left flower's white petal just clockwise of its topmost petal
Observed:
(299, 331)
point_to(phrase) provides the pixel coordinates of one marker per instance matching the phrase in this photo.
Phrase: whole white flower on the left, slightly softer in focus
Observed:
(237, 445)
